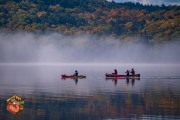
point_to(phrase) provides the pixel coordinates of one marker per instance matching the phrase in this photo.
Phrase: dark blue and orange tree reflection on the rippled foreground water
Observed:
(96, 106)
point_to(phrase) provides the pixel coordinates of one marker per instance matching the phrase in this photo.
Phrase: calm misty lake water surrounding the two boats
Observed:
(47, 97)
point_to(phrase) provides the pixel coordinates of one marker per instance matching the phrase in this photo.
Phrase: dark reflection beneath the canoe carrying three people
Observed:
(115, 79)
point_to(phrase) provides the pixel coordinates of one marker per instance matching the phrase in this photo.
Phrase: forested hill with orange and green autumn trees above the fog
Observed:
(119, 20)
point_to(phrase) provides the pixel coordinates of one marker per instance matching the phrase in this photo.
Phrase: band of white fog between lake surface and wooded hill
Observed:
(55, 47)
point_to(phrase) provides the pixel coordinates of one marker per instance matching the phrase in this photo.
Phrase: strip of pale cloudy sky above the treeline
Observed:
(153, 2)
